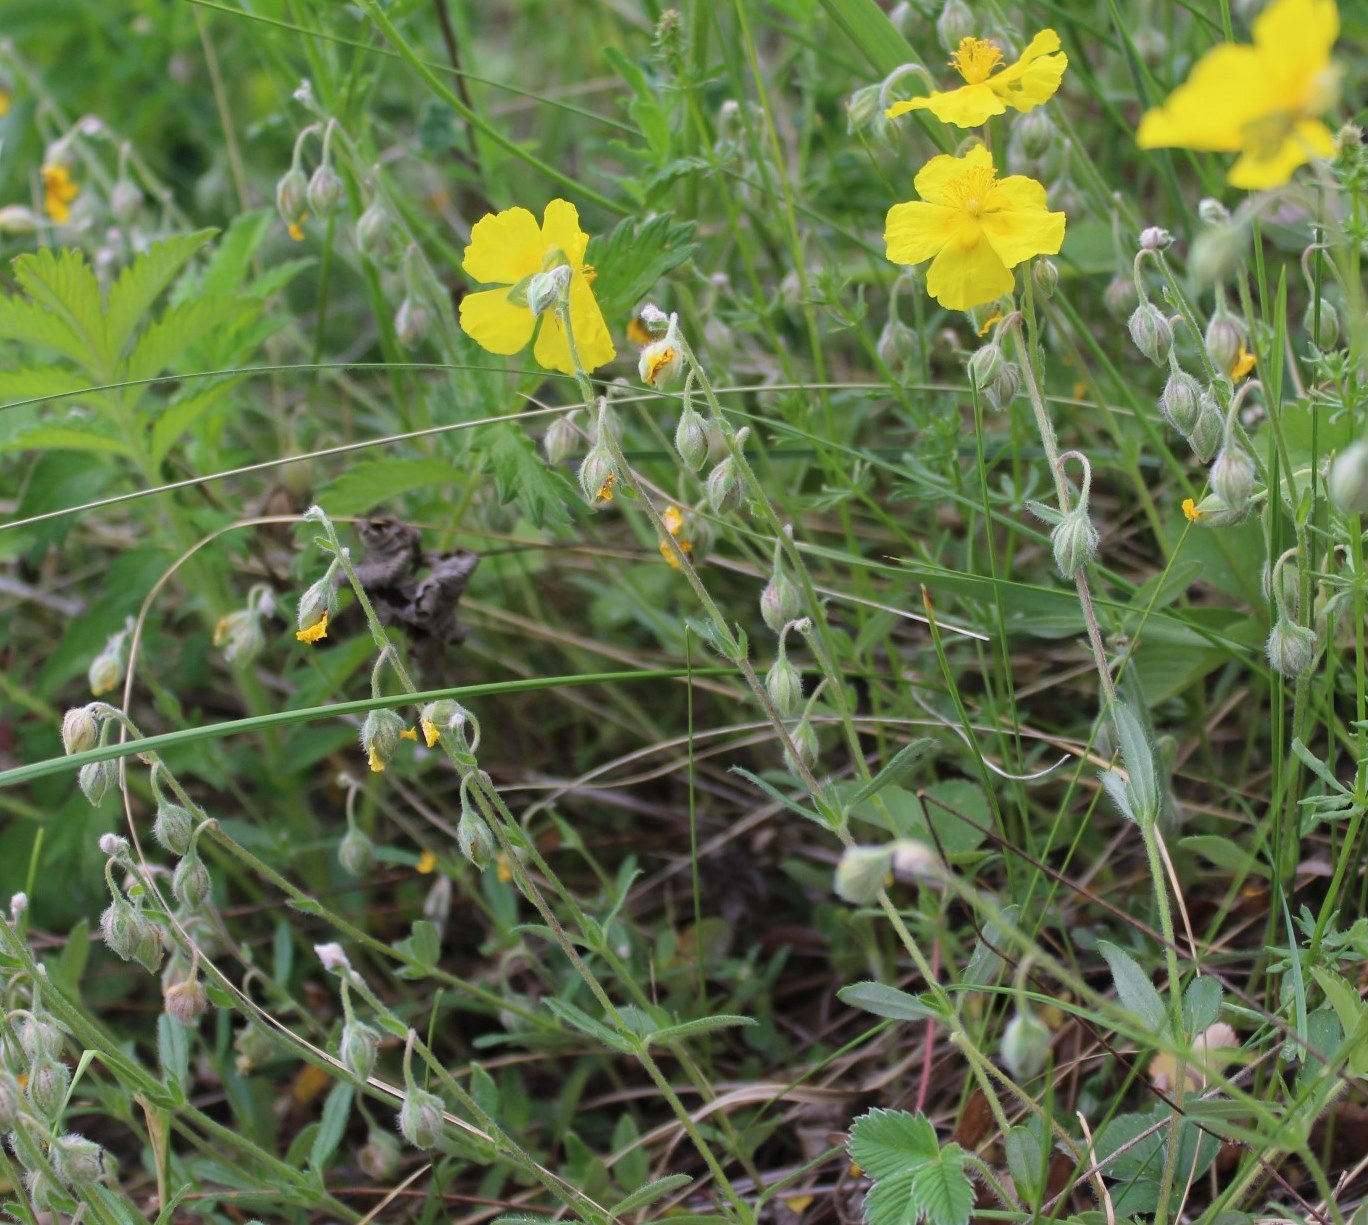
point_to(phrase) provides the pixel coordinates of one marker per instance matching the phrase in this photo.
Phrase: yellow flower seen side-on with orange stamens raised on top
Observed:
(1023, 87)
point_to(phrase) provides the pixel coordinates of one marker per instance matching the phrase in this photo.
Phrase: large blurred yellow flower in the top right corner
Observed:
(1262, 101)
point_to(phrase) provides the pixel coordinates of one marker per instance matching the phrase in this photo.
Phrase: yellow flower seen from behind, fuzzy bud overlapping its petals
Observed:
(508, 250)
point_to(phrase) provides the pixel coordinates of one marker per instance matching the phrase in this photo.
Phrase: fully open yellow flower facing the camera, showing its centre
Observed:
(973, 227)
